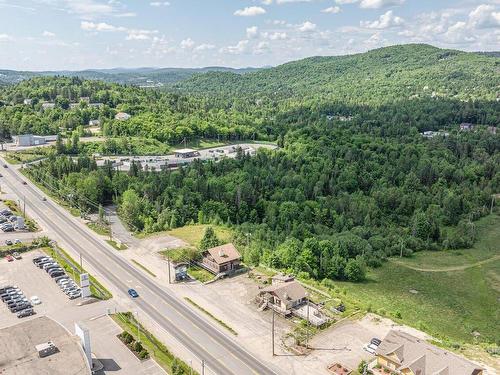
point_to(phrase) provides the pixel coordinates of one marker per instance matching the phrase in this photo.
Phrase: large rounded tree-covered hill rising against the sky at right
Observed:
(399, 72)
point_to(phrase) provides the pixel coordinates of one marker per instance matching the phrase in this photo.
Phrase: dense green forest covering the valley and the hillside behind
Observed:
(352, 183)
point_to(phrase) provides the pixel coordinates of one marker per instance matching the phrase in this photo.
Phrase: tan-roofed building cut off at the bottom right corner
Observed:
(404, 354)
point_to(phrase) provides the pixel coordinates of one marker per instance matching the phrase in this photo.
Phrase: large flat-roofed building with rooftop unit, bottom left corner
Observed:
(41, 346)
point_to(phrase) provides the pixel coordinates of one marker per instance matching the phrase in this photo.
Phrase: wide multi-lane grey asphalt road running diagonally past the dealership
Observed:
(221, 353)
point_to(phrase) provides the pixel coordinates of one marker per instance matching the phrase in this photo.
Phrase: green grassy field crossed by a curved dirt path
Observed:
(447, 304)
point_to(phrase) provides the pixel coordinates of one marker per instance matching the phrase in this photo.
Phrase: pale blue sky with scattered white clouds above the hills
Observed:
(80, 34)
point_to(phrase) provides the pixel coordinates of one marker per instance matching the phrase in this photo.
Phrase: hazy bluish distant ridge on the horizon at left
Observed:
(144, 76)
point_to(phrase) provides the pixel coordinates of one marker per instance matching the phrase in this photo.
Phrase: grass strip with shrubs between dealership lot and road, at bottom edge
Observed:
(160, 353)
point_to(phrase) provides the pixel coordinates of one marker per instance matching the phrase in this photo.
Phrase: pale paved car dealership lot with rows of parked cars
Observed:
(55, 304)
